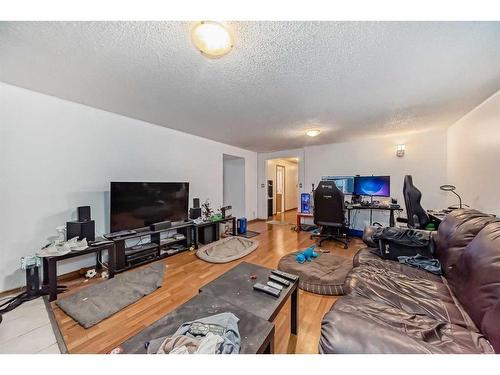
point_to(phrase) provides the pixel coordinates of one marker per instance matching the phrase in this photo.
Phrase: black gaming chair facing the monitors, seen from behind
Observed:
(329, 213)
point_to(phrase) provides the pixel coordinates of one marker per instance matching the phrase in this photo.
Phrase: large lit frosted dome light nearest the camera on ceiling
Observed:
(213, 39)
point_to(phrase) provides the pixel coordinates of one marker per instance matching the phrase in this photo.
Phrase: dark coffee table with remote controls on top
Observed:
(236, 287)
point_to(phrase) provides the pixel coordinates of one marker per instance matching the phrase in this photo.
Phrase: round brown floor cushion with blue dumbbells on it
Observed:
(323, 275)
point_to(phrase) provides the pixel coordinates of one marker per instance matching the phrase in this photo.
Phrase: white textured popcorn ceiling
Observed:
(352, 79)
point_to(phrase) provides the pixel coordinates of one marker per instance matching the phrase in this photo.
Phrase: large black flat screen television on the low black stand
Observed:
(139, 204)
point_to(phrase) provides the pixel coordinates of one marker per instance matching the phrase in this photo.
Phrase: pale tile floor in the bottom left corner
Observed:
(27, 330)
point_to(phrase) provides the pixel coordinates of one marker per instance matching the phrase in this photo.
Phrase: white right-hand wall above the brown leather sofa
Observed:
(474, 155)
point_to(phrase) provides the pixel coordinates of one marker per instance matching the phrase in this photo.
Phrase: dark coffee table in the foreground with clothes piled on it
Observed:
(257, 334)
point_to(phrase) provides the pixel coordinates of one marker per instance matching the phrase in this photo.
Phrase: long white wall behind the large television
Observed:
(56, 155)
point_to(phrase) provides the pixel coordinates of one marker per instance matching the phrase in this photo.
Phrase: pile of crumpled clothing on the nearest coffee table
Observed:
(216, 334)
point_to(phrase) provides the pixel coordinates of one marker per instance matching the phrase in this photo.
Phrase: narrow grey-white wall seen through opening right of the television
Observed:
(234, 184)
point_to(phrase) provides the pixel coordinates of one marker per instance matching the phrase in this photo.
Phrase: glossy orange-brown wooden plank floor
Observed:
(186, 274)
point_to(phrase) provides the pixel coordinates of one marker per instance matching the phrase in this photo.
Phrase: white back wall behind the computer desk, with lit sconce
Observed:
(425, 160)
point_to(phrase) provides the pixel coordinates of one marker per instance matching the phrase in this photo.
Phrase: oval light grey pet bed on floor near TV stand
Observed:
(227, 249)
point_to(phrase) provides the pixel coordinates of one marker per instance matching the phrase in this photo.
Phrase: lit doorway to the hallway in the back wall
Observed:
(283, 185)
